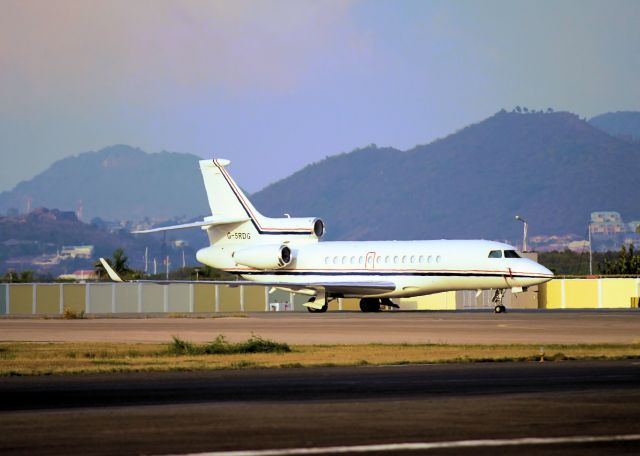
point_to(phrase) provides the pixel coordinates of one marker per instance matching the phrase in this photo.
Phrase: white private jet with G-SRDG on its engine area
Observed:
(285, 253)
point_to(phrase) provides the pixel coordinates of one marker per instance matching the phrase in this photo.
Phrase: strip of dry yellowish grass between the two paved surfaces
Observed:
(71, 358)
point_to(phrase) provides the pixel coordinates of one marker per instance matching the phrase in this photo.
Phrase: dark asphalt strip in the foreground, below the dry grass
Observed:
(187, 412)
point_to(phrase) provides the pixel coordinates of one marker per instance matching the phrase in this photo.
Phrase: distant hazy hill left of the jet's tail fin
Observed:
(116, 183)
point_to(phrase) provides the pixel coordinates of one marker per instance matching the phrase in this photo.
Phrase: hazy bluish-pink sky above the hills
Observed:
(275, 85)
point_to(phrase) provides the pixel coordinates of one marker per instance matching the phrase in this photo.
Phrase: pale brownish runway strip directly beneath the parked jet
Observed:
(462, 327)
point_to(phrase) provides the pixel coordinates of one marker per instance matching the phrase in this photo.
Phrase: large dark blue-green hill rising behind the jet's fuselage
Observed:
(553, 169)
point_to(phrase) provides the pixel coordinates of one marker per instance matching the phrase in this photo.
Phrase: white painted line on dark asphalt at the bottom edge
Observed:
(424, 445)
